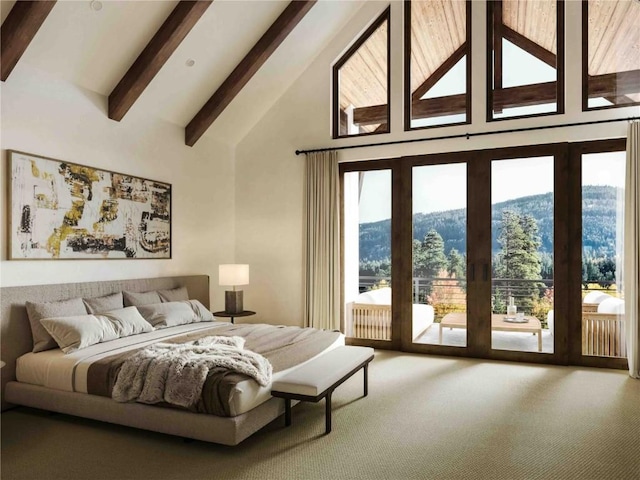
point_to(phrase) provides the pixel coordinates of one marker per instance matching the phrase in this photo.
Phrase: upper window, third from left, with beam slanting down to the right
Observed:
(525, 61)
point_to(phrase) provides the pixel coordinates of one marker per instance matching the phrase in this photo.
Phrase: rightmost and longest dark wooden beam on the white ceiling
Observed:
(250, 64)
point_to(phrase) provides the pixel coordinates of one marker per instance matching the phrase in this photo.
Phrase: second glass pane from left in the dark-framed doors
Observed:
(439, 254)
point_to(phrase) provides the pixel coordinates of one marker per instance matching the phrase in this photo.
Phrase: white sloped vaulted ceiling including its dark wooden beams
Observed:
(212, 67)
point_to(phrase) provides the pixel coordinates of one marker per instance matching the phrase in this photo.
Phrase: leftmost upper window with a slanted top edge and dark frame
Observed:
(361, 84)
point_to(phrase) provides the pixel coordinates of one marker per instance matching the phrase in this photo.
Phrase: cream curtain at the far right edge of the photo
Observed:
(631, 273)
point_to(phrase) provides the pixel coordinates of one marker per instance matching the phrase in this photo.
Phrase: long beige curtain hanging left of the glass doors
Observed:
(322, 288)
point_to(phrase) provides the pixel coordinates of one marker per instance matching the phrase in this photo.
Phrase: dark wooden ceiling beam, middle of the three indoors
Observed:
(172, 32)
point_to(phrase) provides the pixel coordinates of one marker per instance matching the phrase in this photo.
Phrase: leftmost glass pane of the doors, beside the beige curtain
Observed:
(367, 254)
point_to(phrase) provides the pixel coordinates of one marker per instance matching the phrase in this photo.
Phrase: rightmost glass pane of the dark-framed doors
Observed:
(603, 331)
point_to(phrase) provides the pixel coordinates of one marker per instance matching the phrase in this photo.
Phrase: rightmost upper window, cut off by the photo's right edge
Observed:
(611, 58)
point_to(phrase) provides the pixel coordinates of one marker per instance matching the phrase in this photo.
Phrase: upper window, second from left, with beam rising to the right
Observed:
(437, 63)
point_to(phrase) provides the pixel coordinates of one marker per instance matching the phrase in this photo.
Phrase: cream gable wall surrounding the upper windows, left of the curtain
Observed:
(270, 177)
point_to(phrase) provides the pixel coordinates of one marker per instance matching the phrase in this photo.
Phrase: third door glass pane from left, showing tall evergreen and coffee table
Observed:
(522, 254)
